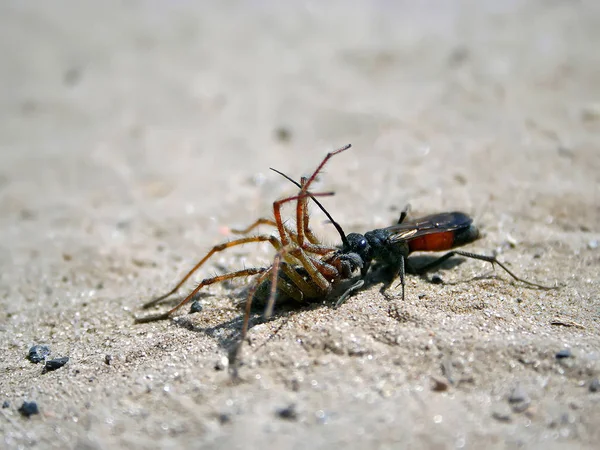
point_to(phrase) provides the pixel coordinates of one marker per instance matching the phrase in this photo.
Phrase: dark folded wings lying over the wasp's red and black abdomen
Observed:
(434, 223)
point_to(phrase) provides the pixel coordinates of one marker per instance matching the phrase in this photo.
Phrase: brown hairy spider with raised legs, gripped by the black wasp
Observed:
(303, 268)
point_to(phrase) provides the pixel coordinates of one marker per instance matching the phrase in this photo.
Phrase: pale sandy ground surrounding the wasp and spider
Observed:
(132, 134)
